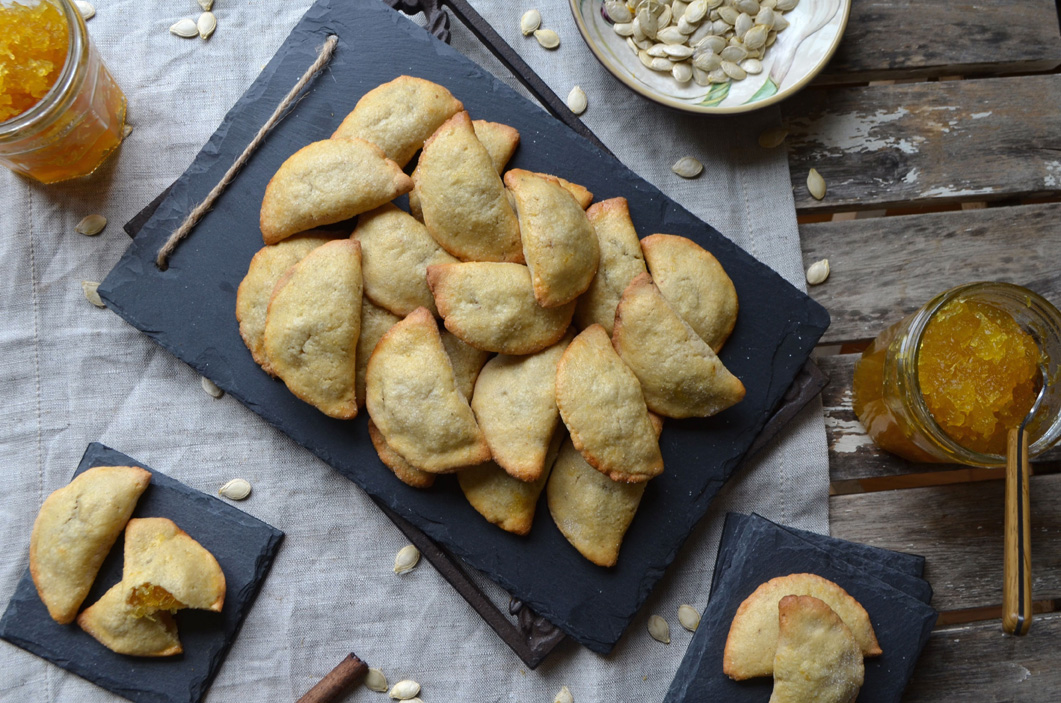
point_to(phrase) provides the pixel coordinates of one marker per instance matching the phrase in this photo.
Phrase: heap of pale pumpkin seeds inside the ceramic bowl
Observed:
(707, 42)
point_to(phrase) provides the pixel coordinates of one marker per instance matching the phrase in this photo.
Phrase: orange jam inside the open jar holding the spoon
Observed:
(979, 374)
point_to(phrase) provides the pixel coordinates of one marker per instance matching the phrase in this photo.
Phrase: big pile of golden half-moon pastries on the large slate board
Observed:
(565, 340)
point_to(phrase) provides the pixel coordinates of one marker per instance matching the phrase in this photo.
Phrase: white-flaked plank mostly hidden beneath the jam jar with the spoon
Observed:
(853, 454)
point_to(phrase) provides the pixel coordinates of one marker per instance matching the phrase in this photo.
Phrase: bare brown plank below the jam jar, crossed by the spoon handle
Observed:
(959, 529)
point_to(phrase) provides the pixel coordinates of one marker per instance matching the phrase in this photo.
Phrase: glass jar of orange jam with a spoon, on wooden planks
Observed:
(948, 383)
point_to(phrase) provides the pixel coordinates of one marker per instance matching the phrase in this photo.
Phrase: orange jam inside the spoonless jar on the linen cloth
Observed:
(33, 49)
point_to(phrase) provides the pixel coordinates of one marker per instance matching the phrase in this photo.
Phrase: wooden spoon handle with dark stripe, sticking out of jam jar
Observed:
(1017, 585)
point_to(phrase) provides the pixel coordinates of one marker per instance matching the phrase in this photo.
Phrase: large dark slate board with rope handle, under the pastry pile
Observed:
(189, 311)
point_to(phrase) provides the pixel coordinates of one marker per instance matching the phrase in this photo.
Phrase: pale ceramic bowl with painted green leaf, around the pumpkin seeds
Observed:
(797, 56)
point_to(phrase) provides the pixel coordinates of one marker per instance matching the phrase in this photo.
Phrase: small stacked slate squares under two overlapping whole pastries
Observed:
(755, 551)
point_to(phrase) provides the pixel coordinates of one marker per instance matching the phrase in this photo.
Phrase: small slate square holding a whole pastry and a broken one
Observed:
(243, 546)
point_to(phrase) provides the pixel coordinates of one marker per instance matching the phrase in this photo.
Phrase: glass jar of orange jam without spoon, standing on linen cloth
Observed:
(61, 112)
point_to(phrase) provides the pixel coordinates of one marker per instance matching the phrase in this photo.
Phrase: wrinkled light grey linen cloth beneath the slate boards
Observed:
(73, 375)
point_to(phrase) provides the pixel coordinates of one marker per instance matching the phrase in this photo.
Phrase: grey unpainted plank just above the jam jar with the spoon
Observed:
(884, 269)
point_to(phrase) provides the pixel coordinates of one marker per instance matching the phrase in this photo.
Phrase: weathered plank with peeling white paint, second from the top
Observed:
(927, 144)
